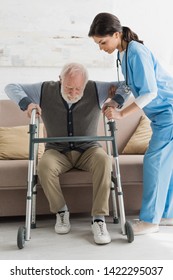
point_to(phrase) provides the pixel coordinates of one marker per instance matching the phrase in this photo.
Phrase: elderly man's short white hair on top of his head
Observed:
(74, 68)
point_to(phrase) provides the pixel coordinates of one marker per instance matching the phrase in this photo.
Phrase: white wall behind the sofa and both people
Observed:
(27, 28)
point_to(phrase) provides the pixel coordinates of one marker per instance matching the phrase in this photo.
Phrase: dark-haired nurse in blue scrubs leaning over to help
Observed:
(152, 88)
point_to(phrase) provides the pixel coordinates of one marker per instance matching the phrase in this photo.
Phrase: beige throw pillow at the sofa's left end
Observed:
(14, 142)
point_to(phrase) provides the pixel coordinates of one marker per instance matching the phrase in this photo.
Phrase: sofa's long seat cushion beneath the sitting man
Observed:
(14, 173)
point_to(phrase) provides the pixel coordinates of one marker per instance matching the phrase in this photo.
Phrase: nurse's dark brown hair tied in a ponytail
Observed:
(107, 24)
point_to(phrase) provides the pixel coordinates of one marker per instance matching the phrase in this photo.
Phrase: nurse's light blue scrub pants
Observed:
(157, 201)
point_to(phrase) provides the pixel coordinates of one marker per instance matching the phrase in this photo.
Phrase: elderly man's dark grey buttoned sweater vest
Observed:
(81, 119)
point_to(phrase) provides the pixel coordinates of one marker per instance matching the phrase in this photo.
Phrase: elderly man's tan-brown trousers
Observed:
(94, 160)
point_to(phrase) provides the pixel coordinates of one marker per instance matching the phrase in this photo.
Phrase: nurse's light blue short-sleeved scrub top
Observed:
(146, 75)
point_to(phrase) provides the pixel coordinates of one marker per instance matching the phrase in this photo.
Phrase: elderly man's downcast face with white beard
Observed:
(72, 88)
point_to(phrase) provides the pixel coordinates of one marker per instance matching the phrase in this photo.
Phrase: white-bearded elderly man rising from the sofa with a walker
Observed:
(70, 107)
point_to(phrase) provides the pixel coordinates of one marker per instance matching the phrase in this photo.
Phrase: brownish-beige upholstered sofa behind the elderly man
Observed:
(77, 185)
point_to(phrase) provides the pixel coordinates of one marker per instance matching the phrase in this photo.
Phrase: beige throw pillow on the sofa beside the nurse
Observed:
(139, 141)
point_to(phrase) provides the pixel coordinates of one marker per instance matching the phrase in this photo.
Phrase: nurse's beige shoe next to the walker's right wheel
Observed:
(141, 227)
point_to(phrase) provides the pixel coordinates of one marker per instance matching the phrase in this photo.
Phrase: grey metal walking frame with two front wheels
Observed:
(24, 232)
